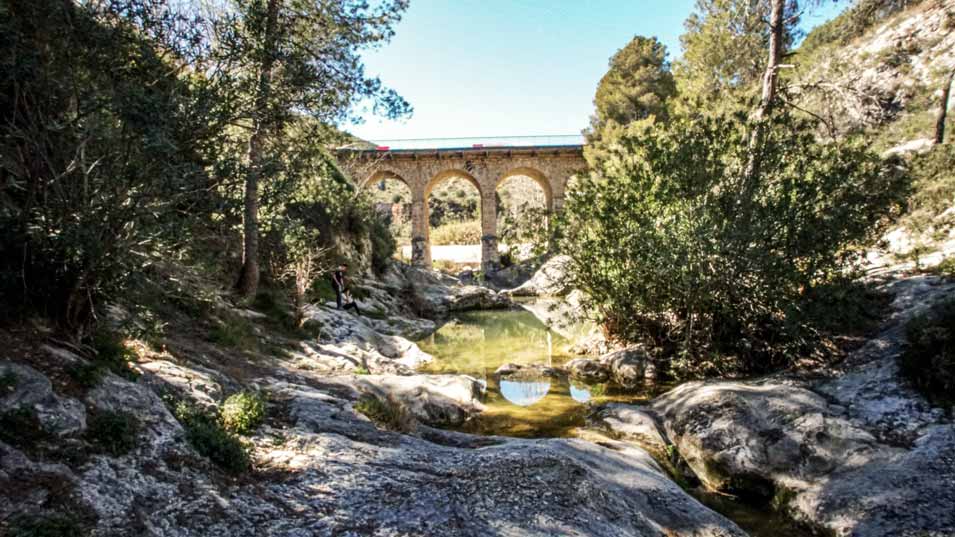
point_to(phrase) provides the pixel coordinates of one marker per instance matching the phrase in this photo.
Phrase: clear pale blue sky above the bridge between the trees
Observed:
(513, 67)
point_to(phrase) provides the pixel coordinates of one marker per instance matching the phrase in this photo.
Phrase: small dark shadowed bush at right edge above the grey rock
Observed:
(929, 360)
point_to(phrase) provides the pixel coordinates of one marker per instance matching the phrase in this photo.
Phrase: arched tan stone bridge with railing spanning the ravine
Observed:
(549, 163)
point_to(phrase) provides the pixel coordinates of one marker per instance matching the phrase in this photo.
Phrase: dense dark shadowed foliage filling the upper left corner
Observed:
(100, 141)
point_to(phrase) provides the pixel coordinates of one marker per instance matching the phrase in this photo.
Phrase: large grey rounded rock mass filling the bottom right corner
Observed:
(859, 453)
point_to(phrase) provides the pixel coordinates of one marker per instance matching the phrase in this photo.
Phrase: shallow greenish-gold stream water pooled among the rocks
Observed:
(537, 406)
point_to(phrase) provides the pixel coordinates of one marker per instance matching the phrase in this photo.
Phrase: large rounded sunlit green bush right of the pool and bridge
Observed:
(673, 252)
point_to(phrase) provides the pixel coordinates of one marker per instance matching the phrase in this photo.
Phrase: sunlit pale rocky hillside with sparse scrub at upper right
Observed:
(884, 77)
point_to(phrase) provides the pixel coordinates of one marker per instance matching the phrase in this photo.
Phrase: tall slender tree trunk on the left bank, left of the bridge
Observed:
(249, 276)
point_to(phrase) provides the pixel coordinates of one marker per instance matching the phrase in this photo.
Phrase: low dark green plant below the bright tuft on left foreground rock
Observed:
(207, 435)
